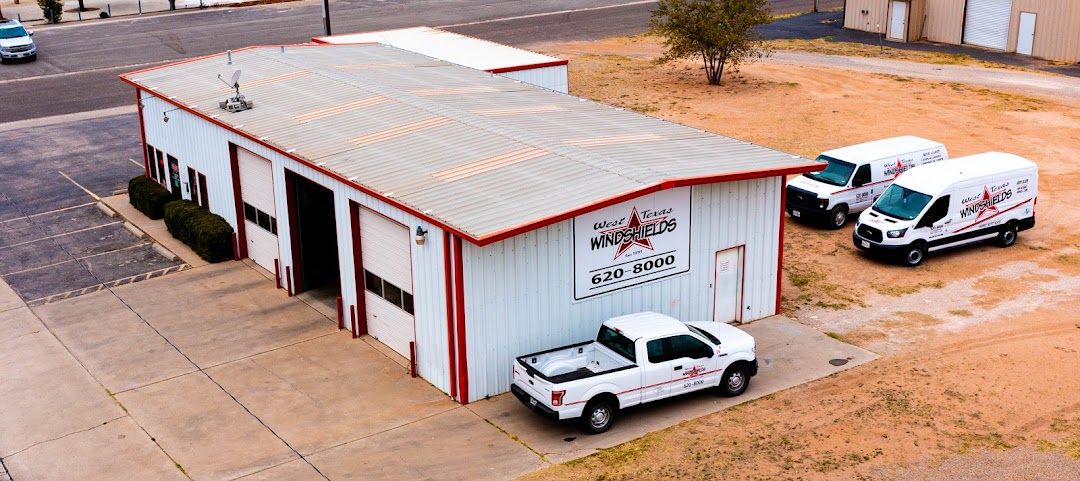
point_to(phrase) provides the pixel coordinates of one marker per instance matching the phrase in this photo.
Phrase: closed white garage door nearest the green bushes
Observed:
(261, 218)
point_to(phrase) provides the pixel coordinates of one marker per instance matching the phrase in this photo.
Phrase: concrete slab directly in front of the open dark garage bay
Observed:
(225, 312)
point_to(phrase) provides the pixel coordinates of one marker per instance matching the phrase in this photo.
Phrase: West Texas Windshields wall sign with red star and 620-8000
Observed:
(631, 244)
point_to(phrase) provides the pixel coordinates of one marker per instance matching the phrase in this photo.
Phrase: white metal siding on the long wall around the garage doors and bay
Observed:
(206, 148)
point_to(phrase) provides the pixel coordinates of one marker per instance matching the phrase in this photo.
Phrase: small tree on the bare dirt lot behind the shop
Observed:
(720, 32)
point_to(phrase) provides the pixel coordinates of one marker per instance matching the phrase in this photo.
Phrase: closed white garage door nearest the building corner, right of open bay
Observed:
(388, 280)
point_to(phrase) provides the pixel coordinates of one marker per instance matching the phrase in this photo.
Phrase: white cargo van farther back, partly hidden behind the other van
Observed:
(856, 177)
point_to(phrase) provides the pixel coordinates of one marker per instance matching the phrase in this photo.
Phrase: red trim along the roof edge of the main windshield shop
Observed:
(502, 235)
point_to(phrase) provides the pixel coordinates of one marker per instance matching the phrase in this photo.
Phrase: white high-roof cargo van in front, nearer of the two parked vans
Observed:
(953, 204)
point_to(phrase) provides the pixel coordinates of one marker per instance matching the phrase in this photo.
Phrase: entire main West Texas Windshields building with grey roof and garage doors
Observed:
(463, 218)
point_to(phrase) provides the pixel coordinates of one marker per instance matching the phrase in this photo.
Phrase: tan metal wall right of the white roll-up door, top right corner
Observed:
(1057, 29)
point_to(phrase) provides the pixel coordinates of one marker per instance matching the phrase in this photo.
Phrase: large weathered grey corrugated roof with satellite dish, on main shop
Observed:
(482, 155)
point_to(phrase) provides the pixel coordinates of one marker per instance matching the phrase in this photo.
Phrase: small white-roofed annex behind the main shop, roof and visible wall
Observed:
(518, 64)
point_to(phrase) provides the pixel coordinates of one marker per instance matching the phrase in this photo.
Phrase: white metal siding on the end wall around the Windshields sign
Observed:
(520, 292)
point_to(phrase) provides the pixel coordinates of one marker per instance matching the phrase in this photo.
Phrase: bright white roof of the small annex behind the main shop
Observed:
(458, 49)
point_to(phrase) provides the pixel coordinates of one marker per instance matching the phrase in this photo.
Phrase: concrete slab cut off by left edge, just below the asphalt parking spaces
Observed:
(45, 394)
